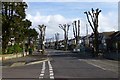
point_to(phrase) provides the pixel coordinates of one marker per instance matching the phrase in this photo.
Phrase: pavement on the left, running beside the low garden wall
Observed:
(26, 60)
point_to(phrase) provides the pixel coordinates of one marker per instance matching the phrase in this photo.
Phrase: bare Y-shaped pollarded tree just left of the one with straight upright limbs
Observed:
(65, 28)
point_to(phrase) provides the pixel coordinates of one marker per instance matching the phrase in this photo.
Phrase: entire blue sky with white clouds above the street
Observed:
(54, 13)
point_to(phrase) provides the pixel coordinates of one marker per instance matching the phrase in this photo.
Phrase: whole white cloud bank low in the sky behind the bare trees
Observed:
(106, 23)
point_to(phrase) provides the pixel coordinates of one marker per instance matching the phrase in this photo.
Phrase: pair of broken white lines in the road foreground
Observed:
(50, 71)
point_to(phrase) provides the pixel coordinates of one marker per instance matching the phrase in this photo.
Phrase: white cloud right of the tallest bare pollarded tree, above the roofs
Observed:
(108, 22)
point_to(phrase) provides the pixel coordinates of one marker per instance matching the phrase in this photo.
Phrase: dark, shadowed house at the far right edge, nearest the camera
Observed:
(113, 46)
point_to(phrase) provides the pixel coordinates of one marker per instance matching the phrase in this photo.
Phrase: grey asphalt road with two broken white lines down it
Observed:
(61, 65)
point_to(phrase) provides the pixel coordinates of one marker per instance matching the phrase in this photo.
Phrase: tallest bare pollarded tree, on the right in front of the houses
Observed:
(94, 25)
